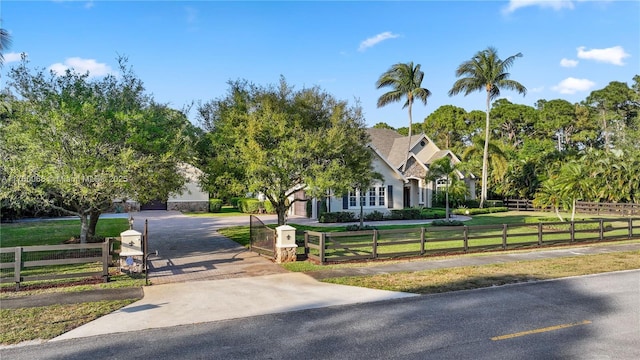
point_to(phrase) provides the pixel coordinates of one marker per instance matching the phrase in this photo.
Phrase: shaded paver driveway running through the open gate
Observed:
(190, 248)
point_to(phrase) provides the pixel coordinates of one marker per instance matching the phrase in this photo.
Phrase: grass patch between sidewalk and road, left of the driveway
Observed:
(48, 322)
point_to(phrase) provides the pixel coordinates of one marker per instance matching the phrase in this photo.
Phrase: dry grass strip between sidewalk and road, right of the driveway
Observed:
(472, 277)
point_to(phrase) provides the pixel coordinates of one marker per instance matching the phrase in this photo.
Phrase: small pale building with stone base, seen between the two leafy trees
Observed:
(192, 199)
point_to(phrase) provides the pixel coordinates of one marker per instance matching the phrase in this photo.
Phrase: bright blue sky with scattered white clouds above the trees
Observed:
(186, 51)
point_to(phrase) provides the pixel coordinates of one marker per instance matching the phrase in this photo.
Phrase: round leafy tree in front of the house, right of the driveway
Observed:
(287, 140)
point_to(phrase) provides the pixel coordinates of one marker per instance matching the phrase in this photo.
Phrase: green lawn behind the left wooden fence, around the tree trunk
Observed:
(54, 232)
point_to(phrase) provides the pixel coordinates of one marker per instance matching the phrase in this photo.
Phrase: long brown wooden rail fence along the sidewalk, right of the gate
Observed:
(329, 247)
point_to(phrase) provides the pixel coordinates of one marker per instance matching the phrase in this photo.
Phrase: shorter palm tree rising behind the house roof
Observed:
(405, 80)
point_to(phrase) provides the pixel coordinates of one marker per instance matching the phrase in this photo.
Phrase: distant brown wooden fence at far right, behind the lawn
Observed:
(583, 207)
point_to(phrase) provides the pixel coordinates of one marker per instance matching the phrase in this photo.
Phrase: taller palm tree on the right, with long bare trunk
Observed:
(486, 71)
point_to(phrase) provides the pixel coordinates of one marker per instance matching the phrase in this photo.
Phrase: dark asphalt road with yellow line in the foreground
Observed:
(591, 317)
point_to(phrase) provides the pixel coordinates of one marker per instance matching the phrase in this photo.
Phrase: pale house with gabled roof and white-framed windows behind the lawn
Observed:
(398, 189)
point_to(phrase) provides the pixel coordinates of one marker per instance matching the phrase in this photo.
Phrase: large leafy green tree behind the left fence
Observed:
(74, 143)
